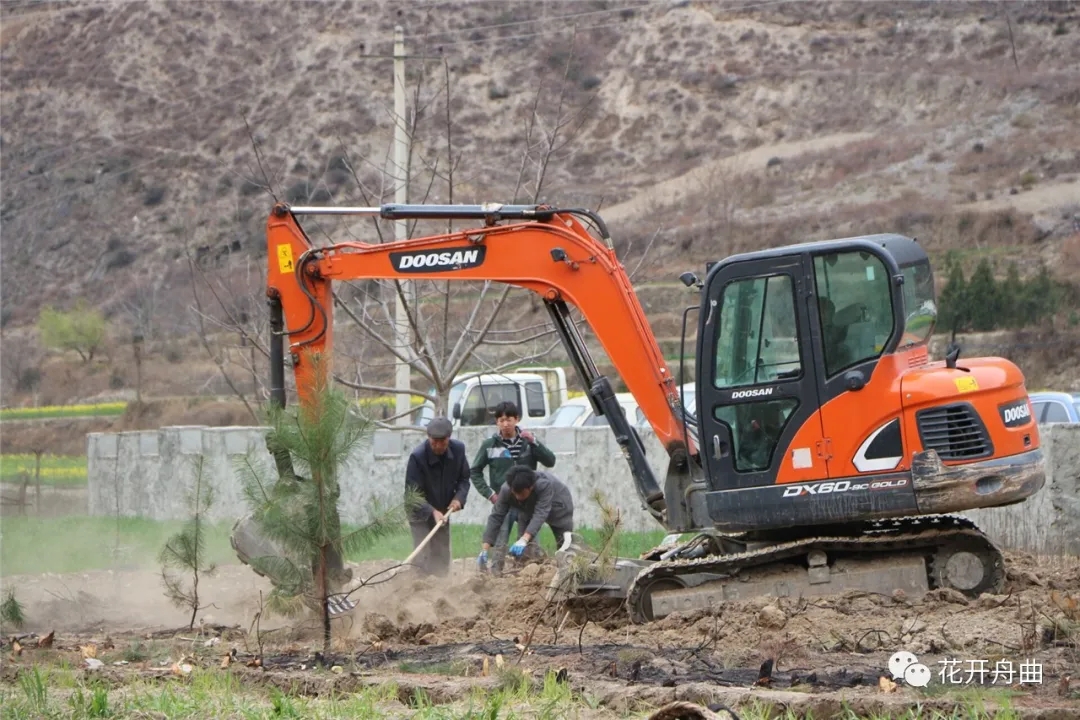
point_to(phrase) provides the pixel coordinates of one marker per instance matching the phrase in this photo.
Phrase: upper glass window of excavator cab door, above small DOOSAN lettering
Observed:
(758, 341)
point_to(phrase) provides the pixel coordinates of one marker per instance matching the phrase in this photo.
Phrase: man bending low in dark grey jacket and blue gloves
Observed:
(539, 498)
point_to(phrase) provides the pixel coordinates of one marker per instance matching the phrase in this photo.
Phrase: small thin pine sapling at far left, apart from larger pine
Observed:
(186, 551)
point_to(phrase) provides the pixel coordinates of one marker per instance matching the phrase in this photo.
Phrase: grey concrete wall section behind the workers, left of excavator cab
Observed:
(151, 473)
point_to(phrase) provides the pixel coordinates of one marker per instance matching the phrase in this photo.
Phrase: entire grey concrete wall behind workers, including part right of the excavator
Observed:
(150, 473)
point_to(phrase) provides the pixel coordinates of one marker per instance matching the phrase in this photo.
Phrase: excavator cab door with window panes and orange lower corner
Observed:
(758, 398)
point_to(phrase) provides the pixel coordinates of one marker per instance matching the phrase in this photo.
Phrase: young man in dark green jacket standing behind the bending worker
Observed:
(508, 447)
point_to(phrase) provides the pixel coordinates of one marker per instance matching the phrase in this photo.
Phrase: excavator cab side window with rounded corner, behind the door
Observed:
(855, 305)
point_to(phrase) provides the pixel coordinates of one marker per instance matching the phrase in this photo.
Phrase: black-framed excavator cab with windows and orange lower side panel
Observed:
(785, 333)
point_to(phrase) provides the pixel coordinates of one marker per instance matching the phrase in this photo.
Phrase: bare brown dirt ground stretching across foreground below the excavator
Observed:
(438, 634)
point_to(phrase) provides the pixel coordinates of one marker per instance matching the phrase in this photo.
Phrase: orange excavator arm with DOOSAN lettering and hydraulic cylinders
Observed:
(547, 251)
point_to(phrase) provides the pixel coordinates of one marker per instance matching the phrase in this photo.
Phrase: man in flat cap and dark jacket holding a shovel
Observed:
(439, 473)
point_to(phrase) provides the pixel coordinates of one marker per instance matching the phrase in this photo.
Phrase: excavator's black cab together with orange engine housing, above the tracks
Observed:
(804, 356)
